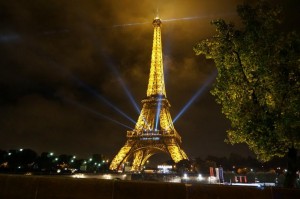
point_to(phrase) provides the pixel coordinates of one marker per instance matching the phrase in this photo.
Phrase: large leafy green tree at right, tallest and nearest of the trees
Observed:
(258, 81)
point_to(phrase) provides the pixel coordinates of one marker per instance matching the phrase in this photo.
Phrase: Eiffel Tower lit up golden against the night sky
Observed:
(154, 131)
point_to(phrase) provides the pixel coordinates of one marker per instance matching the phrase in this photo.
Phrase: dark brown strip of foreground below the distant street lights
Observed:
(48, 187)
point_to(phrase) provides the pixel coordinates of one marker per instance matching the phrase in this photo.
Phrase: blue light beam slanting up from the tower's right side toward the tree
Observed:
(196, 95)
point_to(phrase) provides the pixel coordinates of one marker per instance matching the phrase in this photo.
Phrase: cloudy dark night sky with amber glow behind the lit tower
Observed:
(64, 66)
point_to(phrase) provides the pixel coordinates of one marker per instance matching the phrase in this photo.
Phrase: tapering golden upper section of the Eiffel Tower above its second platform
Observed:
(156, 85)
